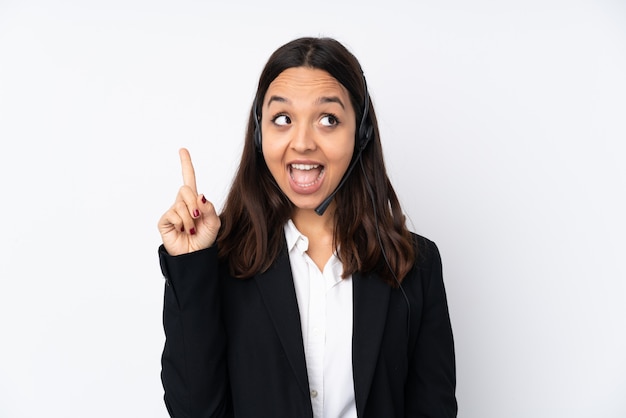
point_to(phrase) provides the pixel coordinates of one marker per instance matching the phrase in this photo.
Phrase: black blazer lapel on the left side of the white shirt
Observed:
(279, 294)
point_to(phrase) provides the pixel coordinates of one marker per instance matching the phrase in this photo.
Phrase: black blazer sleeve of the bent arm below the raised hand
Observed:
(194, 371)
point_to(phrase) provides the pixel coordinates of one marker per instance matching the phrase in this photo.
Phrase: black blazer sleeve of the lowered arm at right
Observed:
(431, 383)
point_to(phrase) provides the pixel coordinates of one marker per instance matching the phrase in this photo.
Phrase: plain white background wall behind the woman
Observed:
(504, 129)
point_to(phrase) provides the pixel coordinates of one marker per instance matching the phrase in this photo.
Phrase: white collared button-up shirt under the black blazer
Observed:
(325, 305)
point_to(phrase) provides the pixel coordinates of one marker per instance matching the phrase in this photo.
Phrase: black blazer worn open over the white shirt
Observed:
(234, 347)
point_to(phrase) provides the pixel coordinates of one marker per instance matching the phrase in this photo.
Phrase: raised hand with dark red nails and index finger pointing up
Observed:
(191, 224)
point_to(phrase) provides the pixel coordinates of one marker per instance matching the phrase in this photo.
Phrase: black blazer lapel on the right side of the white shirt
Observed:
(371, 300)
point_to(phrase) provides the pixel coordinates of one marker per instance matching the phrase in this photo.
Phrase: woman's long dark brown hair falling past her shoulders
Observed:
(256, 210)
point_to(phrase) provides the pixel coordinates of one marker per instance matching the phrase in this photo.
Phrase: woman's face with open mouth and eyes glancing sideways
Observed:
(308, 131)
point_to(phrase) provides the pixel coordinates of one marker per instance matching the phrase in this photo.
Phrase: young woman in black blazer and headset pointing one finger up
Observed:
(307, 296)
